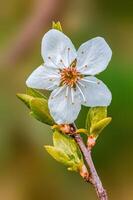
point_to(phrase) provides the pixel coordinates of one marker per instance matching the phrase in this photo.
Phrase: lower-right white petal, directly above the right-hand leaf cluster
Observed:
(95, 92)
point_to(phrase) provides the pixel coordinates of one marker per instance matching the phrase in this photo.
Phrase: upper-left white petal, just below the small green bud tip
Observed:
(57, 49)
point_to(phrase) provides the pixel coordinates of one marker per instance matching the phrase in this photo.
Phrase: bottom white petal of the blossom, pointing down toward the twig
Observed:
(63, 106)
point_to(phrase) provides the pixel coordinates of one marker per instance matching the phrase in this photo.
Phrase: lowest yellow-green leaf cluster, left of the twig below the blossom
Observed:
(66, 151)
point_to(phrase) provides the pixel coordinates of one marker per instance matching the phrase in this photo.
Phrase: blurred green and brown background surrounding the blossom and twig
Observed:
(27, 172)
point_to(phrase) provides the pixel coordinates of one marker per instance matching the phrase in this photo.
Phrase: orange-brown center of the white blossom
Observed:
(70, 76)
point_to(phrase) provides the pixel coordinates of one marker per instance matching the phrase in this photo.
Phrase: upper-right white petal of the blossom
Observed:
(93, 56)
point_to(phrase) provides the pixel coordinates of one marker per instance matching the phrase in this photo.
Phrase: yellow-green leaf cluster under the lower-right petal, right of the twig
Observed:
(97, 120)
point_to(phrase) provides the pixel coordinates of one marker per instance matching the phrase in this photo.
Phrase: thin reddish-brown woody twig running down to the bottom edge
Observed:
(95, 180)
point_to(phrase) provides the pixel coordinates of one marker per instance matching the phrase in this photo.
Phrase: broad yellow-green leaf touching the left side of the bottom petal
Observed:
(40, 111)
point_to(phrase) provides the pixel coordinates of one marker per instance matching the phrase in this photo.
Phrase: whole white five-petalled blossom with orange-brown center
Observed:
(70, 74)
